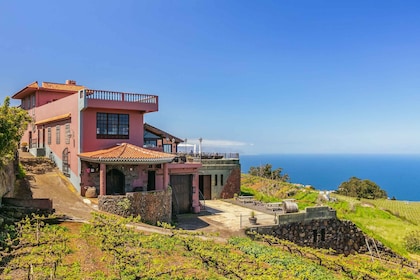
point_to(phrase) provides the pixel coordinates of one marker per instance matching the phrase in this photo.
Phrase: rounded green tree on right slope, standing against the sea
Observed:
(356, 187)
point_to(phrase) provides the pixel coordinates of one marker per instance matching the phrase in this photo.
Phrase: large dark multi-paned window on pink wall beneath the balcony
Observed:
(112, 126)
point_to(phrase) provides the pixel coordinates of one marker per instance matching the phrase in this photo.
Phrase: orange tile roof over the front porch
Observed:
(127, 153)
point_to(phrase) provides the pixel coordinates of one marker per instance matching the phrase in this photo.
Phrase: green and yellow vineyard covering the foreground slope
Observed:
(107, 248)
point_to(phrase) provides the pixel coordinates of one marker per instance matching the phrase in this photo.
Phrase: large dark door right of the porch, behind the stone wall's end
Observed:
(181, 193)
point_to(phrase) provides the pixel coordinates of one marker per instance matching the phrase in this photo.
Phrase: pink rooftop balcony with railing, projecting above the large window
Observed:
(104, 99)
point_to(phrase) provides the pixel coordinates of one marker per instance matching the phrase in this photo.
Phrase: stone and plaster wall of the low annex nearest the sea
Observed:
(228, 169)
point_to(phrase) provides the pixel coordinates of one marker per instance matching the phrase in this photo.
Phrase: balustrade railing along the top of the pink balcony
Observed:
(120, 96)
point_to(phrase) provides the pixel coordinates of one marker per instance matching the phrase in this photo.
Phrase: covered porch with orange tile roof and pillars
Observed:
(124, 168)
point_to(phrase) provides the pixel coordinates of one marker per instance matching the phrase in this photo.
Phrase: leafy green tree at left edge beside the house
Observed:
(13, 122)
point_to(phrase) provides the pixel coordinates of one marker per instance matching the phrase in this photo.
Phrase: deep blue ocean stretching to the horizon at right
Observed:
(398, 175)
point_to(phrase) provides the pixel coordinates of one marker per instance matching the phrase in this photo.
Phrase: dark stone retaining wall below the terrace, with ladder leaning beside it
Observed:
(318, 227)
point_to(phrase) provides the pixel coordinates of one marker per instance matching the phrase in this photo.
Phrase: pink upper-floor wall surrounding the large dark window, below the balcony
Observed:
(88, 130)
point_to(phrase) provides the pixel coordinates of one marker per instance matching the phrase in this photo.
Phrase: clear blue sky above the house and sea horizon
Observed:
(246, 76)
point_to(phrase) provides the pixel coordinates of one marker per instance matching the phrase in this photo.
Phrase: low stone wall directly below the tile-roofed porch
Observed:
(152, 206)
